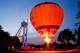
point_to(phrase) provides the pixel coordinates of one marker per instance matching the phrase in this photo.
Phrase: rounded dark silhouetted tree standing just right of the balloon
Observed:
(66, 36)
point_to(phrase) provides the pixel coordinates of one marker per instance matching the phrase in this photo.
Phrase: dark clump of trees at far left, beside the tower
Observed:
(7, 41)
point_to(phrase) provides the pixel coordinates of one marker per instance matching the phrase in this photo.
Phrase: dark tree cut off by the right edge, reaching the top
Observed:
(77, 31)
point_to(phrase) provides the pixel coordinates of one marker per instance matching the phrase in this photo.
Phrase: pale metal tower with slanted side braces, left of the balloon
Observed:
(24, 26)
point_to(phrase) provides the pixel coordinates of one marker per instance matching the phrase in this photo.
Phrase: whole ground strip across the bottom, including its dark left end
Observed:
(45, 51)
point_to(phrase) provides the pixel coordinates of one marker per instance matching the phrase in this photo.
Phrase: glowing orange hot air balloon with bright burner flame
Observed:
(46, 18)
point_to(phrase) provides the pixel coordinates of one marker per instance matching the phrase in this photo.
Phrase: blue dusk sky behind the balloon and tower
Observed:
(13, 12)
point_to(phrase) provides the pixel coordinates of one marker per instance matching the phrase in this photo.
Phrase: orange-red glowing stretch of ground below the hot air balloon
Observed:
(66, 51)
